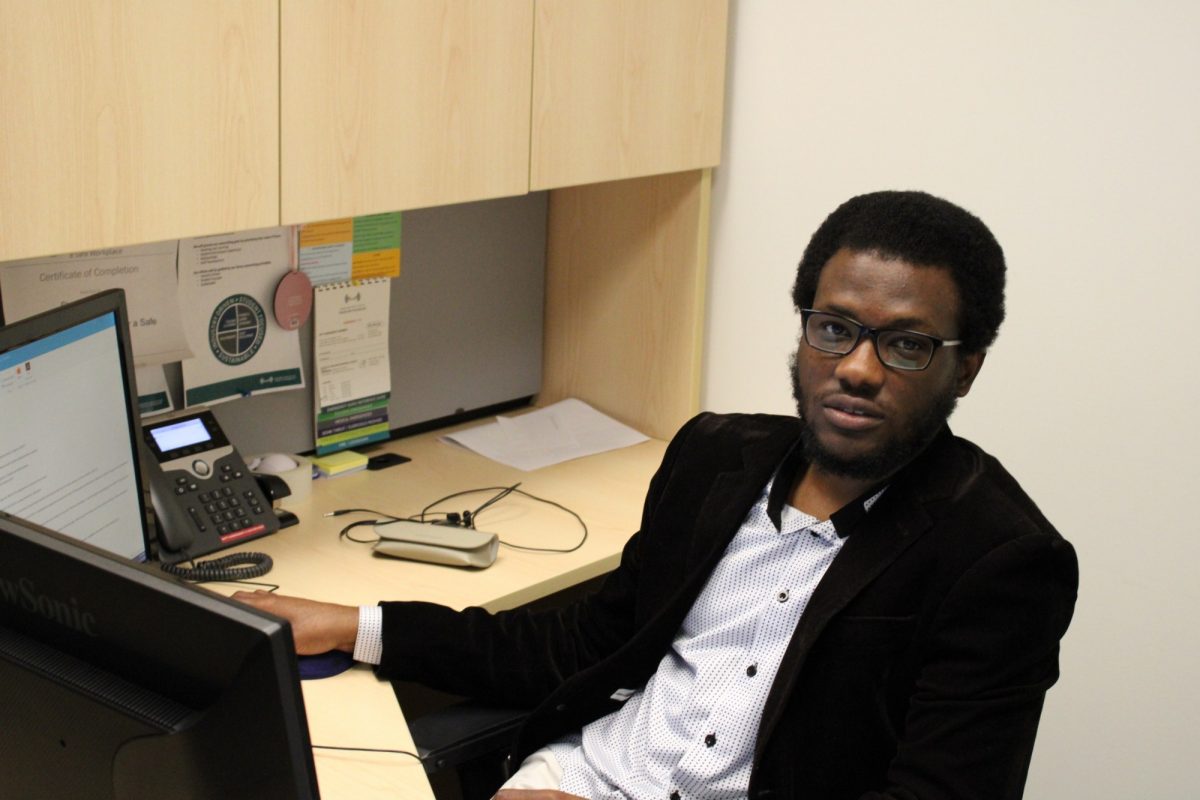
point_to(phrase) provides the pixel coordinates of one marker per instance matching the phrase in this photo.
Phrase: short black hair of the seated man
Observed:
(923, 231)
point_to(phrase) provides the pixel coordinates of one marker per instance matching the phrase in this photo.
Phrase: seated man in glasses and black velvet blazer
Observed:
(854, 604)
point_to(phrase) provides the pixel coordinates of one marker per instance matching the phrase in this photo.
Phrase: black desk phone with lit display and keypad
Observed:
(205, 496)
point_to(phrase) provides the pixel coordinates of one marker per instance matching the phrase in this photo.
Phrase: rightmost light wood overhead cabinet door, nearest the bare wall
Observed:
(626, 88)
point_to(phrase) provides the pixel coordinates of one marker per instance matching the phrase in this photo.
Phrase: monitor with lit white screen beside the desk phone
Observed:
(70, 428)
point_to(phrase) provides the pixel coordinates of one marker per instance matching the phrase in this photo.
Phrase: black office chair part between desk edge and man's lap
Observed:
(470, 742)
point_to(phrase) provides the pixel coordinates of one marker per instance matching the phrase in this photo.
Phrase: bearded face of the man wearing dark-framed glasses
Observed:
(866, 420)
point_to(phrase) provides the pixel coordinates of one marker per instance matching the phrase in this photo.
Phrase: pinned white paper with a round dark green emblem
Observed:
(227, 292)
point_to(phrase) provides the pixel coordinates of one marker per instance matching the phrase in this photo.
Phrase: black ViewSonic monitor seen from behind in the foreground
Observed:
(121, 682)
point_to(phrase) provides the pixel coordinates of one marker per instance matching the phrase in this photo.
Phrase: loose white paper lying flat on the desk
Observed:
(561, 432)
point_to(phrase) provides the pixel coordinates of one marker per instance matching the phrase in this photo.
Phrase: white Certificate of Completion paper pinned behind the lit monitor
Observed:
(147, 273)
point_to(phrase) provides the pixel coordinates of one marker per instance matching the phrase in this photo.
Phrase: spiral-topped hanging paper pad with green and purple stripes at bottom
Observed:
(353, 371)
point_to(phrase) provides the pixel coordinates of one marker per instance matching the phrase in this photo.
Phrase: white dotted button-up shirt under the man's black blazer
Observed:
(691, 732)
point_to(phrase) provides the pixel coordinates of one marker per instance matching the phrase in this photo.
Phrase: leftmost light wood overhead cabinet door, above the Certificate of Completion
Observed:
(136, 121)
